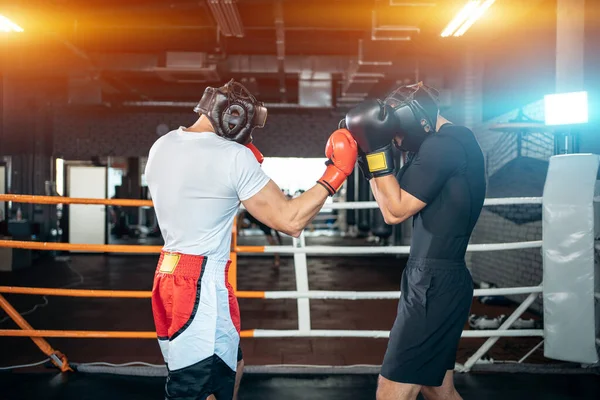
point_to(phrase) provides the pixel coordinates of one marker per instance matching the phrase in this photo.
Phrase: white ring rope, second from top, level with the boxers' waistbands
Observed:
(357, 250)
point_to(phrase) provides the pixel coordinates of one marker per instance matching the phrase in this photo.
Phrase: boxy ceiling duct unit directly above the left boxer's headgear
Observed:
(188, 67)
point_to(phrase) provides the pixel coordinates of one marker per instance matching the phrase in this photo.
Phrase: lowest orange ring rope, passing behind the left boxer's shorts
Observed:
(38, 333)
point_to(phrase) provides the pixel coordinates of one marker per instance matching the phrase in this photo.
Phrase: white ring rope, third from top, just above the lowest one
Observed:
(395, 295)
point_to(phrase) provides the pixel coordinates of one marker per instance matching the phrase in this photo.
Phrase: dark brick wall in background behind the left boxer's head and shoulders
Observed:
(83, 133)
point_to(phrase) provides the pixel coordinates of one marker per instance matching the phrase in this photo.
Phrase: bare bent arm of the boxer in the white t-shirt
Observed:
(290, 216)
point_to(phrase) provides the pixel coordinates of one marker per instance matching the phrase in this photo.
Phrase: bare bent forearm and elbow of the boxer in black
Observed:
(396, 204)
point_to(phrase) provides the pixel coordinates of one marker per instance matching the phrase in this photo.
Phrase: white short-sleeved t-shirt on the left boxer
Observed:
(197, 181)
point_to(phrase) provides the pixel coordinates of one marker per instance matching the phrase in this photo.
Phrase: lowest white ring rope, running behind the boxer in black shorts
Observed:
(264, 333)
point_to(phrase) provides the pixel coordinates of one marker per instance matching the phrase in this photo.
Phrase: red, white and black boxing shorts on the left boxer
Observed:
(197, 321)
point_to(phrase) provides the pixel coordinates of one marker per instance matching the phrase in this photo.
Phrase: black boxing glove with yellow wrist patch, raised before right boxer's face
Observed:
(374, 125)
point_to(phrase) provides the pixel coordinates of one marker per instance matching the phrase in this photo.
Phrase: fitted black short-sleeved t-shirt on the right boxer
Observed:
(448, 174)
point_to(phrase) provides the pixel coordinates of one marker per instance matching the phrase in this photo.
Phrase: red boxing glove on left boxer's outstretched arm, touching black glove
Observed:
(341, 150)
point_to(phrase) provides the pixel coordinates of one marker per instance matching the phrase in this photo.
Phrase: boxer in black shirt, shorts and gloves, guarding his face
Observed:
(442, 187)
